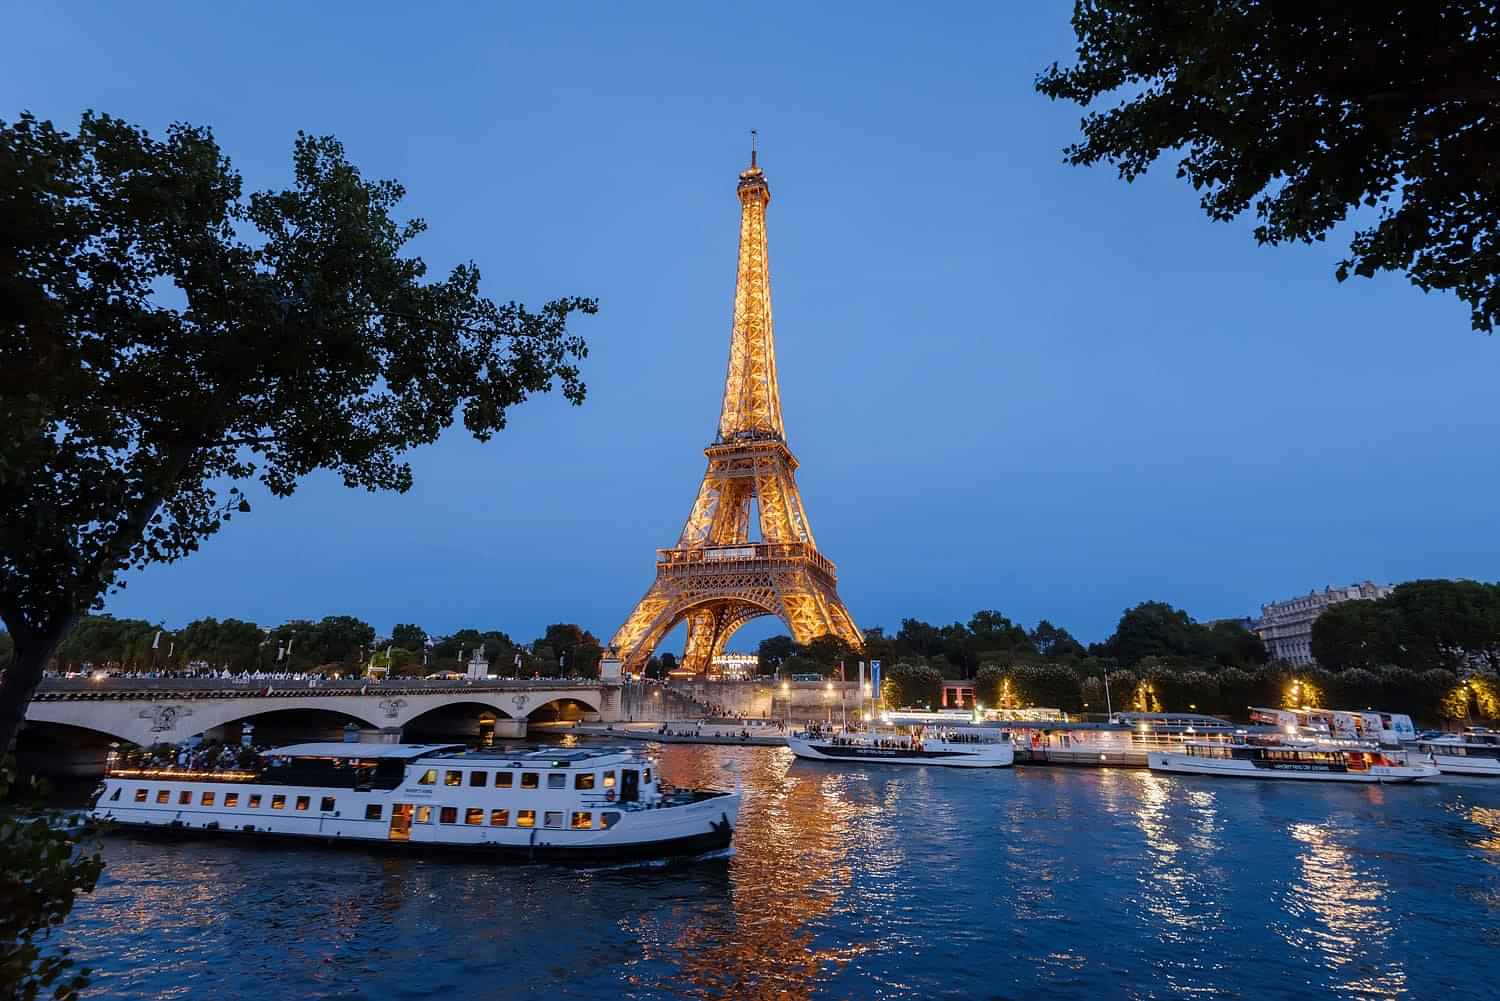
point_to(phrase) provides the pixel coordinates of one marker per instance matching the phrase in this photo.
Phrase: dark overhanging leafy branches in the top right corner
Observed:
(1309, 113)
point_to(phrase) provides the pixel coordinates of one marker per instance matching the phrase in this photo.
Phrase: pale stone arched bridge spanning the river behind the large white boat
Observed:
(173, 711)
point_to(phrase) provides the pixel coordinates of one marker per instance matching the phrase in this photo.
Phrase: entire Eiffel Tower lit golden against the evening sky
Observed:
(718, 579)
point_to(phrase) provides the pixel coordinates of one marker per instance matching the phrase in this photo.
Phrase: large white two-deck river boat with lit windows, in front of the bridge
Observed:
(545, 805)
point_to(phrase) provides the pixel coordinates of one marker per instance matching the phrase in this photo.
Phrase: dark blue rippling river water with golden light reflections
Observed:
(1021, 883)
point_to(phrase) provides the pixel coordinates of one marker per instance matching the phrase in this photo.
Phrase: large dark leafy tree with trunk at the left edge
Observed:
(298, 338)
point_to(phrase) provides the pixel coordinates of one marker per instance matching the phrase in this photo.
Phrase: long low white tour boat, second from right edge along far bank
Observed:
(1327, 763)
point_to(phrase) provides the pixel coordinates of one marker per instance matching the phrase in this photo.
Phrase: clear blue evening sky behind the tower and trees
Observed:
(1012, 383)
